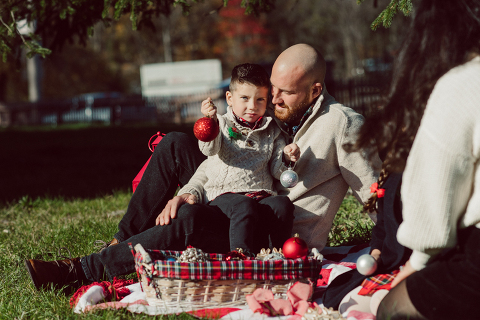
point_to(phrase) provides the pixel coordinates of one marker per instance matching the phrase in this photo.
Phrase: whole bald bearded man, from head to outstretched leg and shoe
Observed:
(306, 113)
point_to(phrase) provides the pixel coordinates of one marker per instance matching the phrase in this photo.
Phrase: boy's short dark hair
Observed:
(249, 73)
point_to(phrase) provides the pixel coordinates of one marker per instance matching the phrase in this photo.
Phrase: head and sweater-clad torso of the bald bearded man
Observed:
(320, 126)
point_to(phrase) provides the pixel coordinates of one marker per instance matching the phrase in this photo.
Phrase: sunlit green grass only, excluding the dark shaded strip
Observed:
(39, 228)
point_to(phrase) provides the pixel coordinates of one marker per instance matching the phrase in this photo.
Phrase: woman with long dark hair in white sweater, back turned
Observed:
(434, 103)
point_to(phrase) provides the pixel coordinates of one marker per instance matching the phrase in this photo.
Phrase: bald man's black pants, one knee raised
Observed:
(173, 163)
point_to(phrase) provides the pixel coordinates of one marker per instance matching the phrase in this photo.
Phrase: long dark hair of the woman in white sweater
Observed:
(442, 35)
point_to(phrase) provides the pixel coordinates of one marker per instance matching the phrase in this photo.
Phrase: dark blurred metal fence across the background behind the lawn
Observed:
(361, 94)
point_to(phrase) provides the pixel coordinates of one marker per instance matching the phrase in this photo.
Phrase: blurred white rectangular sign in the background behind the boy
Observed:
(180, 78)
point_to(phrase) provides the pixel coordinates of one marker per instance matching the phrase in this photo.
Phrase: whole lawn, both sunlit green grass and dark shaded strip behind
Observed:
(46, 205)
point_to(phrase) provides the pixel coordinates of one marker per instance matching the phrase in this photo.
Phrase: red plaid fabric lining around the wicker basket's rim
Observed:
(219, 269)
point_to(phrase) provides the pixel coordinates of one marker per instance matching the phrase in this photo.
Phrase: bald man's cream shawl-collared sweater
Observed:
(325, 169)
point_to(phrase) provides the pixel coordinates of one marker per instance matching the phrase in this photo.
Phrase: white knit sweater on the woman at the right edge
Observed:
(441, 183)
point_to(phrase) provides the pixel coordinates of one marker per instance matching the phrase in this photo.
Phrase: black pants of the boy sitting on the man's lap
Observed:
(251, 222)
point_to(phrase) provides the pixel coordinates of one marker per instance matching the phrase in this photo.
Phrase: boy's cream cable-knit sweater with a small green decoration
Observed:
(242, 165)
